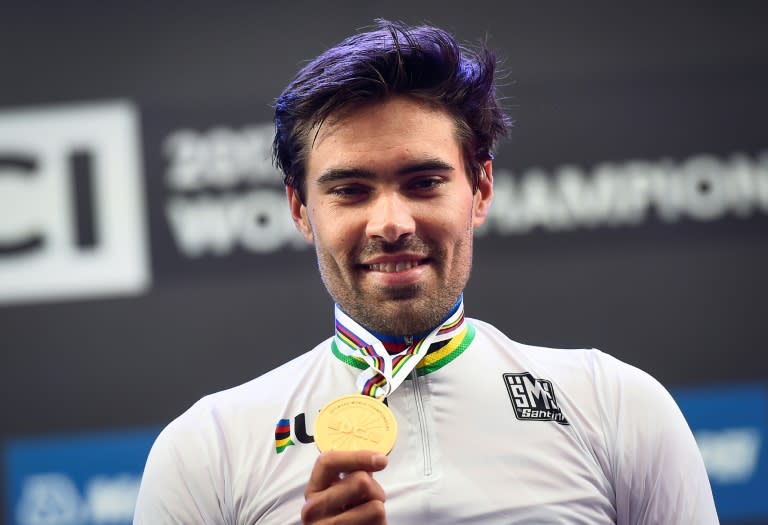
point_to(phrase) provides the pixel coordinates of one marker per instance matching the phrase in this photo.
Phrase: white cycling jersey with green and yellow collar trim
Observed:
(490, 431)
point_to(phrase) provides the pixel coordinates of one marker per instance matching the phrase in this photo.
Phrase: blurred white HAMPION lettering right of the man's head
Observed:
(701, 188)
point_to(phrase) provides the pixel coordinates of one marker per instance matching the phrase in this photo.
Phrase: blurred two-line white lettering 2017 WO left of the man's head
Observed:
(223, 195)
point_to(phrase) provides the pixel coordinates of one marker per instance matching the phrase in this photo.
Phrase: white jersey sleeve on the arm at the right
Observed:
(659, 474)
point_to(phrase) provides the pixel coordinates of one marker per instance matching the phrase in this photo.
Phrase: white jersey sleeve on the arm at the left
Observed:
(183, 478)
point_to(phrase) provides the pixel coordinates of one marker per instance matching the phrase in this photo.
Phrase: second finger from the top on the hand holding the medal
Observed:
(357, 488)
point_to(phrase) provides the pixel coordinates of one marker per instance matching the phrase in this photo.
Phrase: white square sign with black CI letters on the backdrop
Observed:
(72, 211)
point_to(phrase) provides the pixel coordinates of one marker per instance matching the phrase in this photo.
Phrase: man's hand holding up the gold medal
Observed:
(341, 489)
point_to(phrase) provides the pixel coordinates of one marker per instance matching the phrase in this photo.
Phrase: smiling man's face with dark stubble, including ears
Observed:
(390, 210)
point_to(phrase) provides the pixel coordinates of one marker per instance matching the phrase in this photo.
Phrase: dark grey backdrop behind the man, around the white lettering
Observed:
(684, 300)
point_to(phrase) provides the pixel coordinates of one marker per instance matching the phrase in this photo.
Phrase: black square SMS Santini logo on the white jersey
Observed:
(533, 399)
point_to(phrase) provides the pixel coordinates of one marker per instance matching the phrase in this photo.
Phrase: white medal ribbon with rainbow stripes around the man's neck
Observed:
(386, 372)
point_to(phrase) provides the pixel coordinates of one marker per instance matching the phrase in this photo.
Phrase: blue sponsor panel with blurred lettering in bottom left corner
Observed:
(75, 480)
